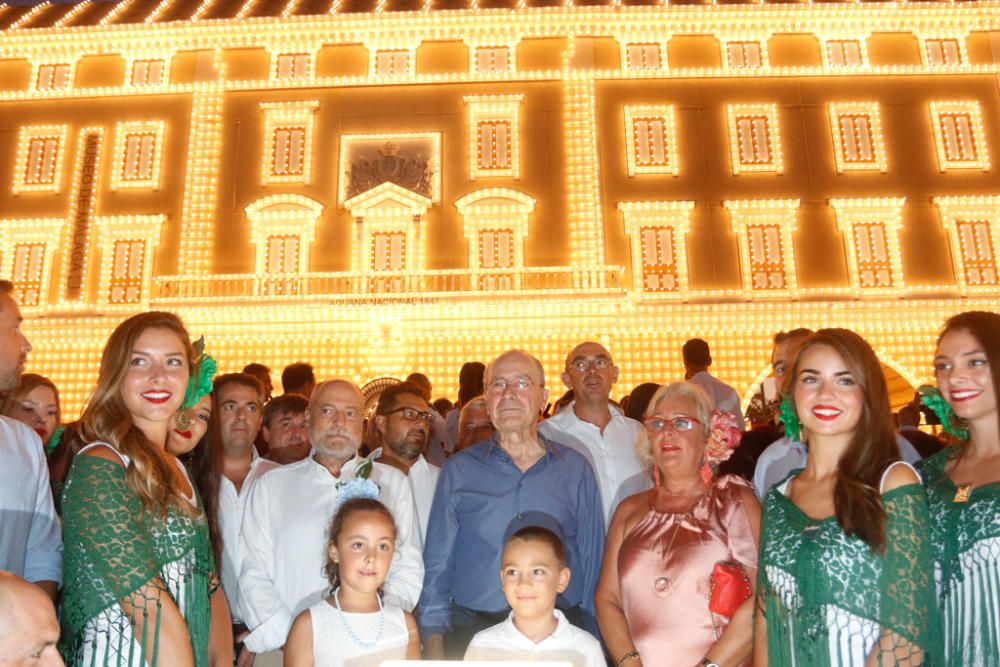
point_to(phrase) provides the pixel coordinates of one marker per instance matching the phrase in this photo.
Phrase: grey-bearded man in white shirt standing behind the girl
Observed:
(289, 512)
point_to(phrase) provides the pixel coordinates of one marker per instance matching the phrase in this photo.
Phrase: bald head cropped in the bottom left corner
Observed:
(29, 630)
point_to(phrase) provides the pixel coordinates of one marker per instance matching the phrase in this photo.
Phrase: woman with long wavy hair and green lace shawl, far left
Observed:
(140, 581)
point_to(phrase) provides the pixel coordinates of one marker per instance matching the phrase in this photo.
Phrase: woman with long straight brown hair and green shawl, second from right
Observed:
(845, 572)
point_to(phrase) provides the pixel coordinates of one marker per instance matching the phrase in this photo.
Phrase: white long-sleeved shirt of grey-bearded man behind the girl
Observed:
(285, 545)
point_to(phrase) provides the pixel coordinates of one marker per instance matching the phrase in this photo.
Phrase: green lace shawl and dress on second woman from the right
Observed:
(829, 600)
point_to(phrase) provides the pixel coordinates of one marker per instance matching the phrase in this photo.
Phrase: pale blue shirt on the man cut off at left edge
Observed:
(30, 532)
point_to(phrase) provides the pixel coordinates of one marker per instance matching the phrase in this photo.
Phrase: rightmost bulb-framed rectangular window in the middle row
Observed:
(959, 136)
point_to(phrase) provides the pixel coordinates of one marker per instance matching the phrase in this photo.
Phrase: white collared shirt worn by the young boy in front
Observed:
(567, 644)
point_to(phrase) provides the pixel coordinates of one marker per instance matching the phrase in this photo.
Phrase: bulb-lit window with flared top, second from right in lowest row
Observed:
(871, 227)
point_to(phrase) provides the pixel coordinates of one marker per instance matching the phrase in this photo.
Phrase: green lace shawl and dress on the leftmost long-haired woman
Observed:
(112, 552)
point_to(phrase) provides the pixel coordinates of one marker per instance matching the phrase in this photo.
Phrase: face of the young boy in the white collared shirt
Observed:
(531, 577)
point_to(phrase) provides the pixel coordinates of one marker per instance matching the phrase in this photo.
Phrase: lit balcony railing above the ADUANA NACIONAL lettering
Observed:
(388, 285)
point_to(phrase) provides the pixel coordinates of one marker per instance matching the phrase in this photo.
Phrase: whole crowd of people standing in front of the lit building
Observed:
(192, 518)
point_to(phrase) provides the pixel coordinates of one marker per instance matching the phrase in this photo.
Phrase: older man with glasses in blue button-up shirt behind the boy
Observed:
(489, 485)
